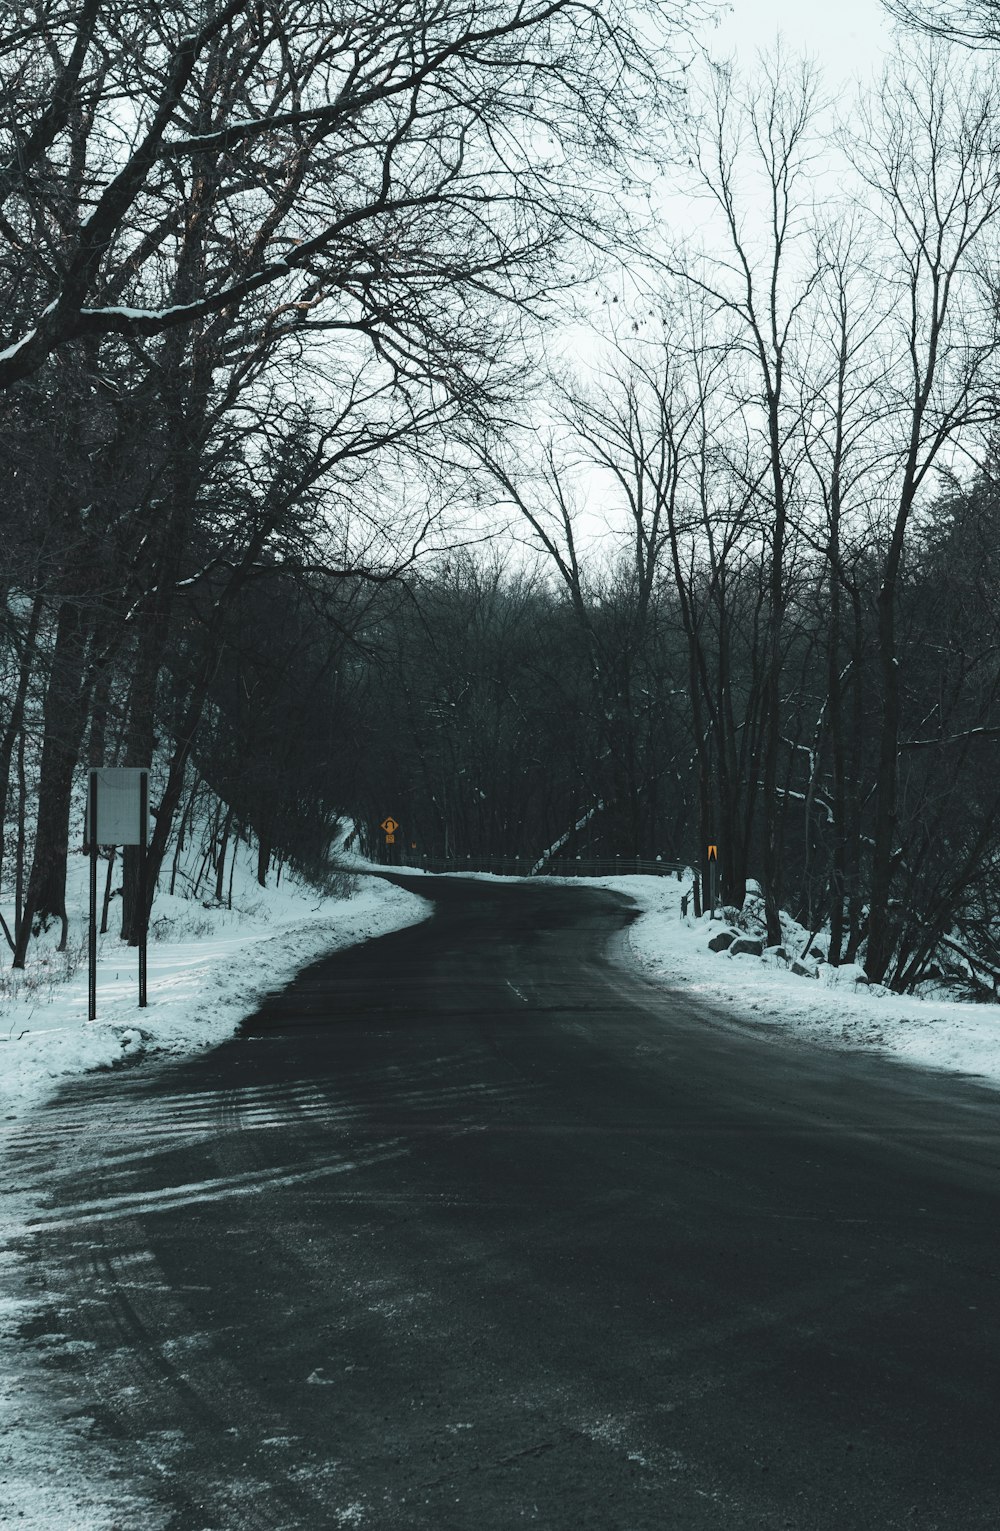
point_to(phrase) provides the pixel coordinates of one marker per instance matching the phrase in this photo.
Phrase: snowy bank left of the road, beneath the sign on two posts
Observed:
(209, 968)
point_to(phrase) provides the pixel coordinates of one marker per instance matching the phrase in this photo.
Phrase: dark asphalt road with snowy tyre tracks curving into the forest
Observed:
(474, 1229)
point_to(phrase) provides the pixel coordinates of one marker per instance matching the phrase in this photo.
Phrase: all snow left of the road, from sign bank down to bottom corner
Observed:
(208, 971)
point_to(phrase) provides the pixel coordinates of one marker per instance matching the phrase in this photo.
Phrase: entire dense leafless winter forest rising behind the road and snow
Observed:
(379, 439)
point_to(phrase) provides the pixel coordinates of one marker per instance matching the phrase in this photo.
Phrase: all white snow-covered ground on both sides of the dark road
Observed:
(209, 970)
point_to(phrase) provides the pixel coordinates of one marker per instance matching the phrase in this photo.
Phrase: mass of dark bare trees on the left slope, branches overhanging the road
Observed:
(258, 261)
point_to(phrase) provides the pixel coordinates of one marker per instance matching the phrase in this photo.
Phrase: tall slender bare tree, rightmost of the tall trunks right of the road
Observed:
(927, 149)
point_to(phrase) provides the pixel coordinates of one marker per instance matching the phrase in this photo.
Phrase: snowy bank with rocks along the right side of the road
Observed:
(832, 1008)
